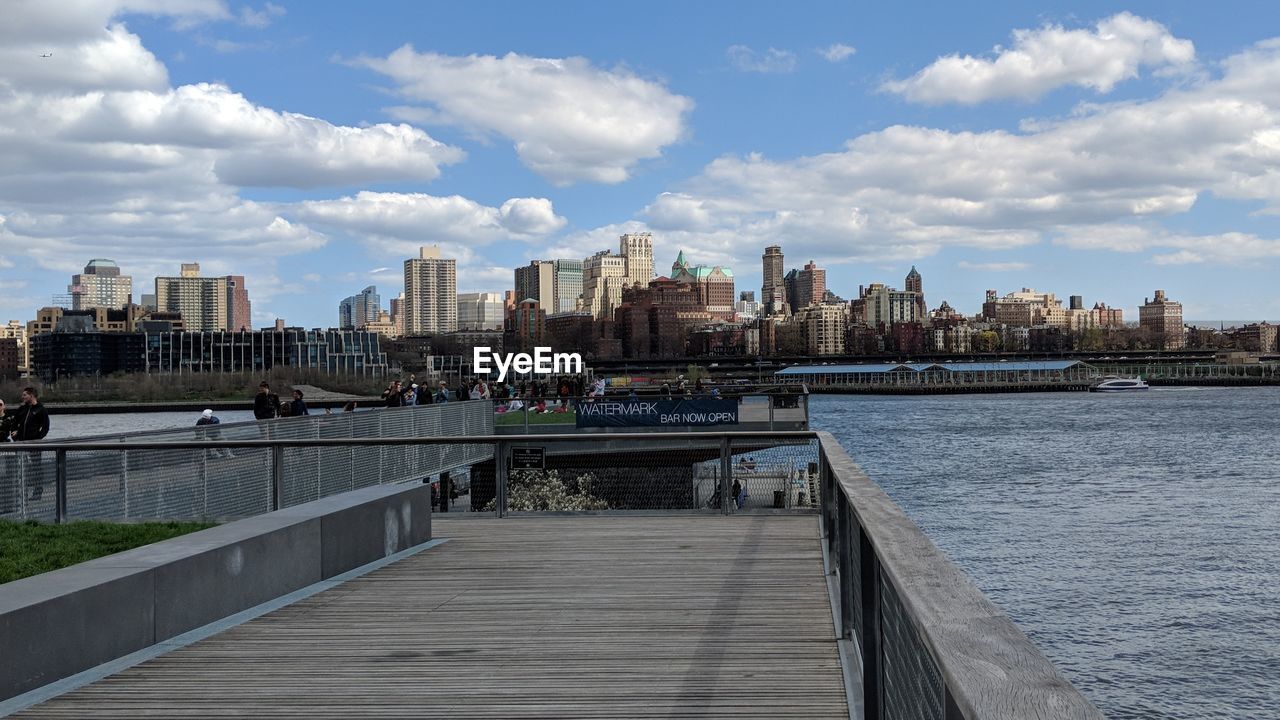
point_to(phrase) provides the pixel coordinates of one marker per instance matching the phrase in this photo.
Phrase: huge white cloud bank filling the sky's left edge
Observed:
(103, 158)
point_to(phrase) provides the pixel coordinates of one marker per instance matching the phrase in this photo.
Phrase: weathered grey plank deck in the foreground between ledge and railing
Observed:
(577, 617)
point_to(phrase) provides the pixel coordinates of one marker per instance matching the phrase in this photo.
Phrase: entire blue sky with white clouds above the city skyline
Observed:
(1082, 149)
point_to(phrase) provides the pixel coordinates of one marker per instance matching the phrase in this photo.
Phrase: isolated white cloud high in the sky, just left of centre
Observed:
(569, 120)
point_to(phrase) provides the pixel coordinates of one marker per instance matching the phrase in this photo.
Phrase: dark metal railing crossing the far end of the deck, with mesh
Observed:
(134, 479)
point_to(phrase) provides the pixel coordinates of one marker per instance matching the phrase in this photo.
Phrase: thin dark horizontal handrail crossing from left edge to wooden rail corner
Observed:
(47, 446)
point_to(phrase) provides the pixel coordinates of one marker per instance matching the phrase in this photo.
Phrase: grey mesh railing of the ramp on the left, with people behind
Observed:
(235, 471)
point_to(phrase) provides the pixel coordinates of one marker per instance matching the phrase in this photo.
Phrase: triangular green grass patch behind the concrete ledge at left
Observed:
(31, 549)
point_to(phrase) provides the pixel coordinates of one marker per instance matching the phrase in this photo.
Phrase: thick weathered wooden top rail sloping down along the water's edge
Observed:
(990, 668)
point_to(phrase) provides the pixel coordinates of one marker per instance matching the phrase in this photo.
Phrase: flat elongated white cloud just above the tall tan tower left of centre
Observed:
(408, 221)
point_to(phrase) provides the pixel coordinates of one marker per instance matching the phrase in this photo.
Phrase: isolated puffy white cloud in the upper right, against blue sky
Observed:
(1049, 58)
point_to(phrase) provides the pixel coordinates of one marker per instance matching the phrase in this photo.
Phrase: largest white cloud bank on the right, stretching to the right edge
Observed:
(906, 193)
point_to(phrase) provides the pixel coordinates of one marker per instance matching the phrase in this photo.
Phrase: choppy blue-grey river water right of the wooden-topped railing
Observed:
(1136, 537)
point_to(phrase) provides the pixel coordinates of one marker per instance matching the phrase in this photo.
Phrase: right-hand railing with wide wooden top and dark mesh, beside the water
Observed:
(930, 644)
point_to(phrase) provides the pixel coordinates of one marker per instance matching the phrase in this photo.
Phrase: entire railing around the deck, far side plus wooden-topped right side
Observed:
(927, 644)
